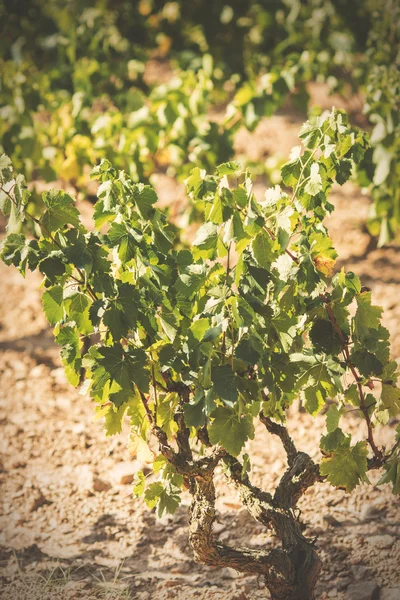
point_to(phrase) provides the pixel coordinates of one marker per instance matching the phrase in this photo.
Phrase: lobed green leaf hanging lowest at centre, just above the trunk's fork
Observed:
(230, 429)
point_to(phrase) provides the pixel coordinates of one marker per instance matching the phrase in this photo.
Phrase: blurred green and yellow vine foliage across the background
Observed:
(76, 86)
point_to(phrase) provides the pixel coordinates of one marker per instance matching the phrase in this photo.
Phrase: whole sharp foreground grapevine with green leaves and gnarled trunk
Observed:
(197, 343)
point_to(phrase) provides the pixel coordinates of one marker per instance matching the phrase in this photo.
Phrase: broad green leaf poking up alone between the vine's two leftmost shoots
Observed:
(60, 211)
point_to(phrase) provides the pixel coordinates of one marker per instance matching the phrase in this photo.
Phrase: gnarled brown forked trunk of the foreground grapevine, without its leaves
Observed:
(290, 571)
